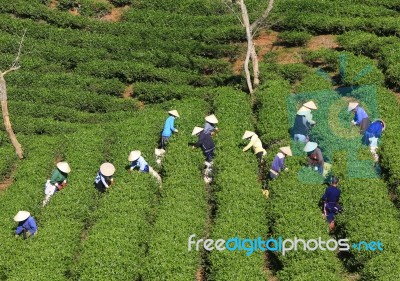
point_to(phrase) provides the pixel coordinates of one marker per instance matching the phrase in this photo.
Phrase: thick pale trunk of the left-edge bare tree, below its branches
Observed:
(6, 118)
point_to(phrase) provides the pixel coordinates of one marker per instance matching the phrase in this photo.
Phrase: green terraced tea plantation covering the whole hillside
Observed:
(96, 81)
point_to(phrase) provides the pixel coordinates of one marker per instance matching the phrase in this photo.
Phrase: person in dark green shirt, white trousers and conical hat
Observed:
(57, 181)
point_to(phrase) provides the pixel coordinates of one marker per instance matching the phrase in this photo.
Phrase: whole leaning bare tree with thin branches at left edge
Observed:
(3, 98)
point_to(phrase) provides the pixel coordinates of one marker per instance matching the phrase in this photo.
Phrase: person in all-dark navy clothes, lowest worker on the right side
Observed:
(331, 202)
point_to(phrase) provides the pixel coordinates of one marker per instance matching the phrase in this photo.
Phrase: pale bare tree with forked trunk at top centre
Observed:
(251, 50)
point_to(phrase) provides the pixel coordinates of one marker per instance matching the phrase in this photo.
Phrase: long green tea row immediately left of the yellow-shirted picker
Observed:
(239, 198)
